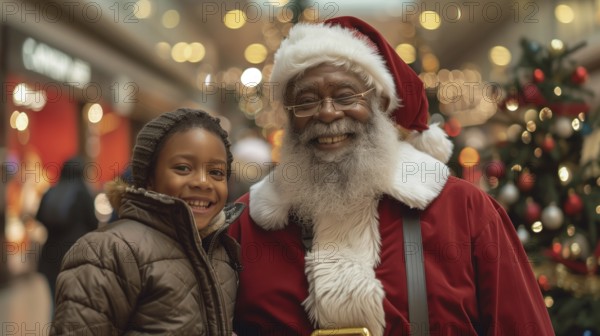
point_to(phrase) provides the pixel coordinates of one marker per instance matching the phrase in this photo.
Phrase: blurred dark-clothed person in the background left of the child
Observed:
(67, 211)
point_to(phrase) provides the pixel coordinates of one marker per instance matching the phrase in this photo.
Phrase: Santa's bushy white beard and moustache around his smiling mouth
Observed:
(327, 183)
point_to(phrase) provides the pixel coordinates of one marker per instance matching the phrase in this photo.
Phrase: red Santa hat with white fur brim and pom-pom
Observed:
(351, 41)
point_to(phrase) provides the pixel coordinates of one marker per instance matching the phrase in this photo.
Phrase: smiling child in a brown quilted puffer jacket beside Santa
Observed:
(167, 266)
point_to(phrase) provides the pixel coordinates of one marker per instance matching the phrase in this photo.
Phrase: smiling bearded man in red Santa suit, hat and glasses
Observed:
(363, 226)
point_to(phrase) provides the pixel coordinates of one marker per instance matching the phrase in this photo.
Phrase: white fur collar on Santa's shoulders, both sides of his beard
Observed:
(417, 181)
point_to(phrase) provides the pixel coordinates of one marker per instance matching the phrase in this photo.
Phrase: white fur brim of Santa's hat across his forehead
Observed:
(309, 45)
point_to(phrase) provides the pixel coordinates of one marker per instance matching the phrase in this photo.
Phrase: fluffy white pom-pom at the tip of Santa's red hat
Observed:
(433, 141)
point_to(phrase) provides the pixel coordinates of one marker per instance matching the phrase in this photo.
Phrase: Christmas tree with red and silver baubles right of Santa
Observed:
(545, 172)
